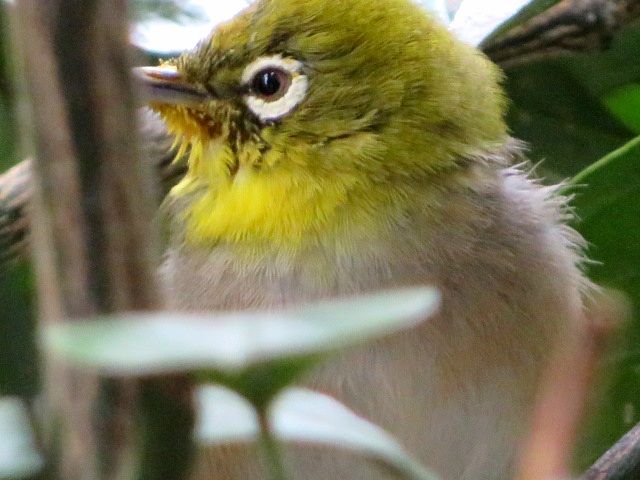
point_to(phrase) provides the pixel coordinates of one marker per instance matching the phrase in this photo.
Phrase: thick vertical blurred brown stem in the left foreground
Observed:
(91, 232)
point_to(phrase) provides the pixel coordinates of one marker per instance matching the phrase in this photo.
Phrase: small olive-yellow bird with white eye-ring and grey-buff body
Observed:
(337, 147)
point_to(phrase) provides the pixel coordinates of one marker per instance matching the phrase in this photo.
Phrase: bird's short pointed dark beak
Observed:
(165, 84)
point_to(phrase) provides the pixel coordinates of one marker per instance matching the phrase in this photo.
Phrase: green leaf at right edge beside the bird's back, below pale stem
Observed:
(608, 205)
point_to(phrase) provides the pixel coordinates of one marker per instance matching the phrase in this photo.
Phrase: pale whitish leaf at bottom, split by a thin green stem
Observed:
(302, 416)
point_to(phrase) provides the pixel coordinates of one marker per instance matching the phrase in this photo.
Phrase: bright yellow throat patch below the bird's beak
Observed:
(238, 197)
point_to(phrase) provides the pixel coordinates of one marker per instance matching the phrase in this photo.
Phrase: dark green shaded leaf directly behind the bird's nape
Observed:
(566, 127)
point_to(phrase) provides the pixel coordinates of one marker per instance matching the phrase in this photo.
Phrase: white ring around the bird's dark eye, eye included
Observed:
(276, 86)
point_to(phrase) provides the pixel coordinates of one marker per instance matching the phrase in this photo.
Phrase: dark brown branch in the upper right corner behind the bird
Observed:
(569, 26)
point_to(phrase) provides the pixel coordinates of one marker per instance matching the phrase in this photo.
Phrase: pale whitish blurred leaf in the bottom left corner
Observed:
(19, 457)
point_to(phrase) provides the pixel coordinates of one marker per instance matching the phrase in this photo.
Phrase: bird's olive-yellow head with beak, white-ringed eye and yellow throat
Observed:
(297, 113)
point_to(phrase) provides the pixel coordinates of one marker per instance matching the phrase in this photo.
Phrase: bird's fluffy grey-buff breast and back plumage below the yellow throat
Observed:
(458, 390)
